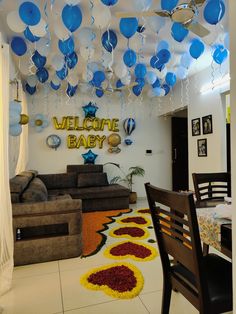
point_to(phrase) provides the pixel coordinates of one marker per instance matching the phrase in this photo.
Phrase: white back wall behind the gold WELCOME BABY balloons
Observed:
(151, 133)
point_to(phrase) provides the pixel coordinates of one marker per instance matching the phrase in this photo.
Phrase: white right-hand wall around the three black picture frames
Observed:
(199, 105)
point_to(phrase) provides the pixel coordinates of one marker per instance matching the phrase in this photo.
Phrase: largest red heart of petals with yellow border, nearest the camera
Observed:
(119, 280)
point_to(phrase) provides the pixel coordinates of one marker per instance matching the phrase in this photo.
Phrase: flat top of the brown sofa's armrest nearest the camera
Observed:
(49, 207)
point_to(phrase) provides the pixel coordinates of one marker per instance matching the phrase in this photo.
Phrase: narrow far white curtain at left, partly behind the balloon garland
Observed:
(23, 151)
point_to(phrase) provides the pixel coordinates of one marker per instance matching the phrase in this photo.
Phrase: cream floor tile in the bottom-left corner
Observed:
(33, 295)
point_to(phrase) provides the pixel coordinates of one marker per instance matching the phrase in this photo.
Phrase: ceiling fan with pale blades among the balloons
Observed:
(184, 13)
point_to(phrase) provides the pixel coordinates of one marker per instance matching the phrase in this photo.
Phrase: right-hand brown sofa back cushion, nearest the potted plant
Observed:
(91, 179)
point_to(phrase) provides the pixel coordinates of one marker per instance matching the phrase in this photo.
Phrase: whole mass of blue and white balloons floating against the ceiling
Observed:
(35, 43)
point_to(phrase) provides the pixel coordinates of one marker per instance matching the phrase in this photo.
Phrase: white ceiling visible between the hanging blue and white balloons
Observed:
(144, 44)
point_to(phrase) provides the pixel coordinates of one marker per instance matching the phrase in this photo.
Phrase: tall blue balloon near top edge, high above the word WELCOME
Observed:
(72, 17)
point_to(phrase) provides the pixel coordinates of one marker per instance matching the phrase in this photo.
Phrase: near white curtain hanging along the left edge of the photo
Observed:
(6, 234)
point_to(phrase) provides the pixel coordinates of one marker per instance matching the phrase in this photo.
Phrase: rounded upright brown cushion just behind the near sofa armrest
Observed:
(36, 192)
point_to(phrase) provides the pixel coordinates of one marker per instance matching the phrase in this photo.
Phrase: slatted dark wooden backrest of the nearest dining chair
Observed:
(176, 228)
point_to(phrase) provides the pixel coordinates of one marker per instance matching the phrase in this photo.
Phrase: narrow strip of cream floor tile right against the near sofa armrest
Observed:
(35, 269)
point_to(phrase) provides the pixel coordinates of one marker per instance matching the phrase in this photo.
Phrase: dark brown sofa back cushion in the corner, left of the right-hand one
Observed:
(59, 180)
